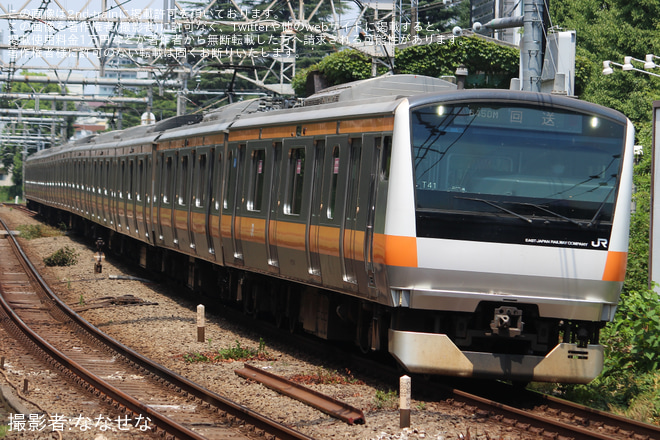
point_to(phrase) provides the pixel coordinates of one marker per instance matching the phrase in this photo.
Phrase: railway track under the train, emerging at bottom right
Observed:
(534, 415)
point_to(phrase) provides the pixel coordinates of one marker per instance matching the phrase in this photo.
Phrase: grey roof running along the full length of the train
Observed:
(380, 95)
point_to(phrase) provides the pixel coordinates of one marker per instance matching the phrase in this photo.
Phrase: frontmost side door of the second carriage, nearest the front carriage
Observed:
(201, 201)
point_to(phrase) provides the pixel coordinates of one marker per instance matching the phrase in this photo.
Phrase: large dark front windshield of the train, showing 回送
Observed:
(487, 164)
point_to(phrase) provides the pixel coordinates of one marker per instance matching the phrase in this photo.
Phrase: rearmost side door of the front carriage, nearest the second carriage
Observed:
(233, 253)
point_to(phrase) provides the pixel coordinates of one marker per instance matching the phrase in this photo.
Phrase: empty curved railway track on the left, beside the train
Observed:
(150, 397)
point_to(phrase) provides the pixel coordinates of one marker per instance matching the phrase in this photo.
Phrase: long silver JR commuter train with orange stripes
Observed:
(478, 233)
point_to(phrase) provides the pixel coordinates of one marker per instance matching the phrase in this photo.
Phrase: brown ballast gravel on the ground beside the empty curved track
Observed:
(165, 330)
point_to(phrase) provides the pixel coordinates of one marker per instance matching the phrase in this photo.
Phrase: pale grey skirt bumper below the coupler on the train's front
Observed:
(432, 353)
